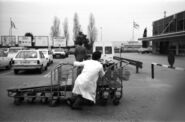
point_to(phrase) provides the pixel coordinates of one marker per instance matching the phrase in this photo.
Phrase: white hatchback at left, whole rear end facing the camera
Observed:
(29, 59)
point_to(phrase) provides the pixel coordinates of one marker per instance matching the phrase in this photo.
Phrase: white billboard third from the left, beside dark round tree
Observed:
(41, 40)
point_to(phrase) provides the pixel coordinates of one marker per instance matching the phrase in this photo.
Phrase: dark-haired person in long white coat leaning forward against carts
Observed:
(86, 83)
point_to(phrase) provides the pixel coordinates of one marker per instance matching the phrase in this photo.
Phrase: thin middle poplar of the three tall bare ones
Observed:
(76, 27)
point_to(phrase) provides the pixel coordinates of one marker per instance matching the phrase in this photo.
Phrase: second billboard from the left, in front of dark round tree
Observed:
(24, 41)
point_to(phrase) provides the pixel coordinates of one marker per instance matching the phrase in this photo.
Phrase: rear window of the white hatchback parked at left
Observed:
(27, 54)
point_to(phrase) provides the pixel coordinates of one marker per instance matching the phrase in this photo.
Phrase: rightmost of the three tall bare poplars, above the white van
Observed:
(92, 31)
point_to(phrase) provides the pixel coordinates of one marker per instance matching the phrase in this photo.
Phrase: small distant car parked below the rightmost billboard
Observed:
(59, 53)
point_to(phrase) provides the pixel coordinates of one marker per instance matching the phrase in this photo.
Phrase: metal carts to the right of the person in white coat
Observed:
(110, 86)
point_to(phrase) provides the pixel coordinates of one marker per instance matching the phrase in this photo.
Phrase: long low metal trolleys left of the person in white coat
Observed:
(60, 87)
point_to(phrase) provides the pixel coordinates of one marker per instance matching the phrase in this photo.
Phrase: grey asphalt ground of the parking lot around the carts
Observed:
(145, 99)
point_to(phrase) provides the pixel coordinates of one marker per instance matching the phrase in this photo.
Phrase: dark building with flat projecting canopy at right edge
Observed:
(168, 35)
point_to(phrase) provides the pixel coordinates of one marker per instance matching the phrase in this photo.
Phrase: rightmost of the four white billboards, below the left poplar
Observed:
(59, 41)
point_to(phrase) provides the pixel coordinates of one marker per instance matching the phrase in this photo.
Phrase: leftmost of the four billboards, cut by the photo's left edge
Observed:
(8, 41)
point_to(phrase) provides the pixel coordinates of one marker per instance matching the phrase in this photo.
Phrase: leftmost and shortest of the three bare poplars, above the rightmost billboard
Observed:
(55, 29)
